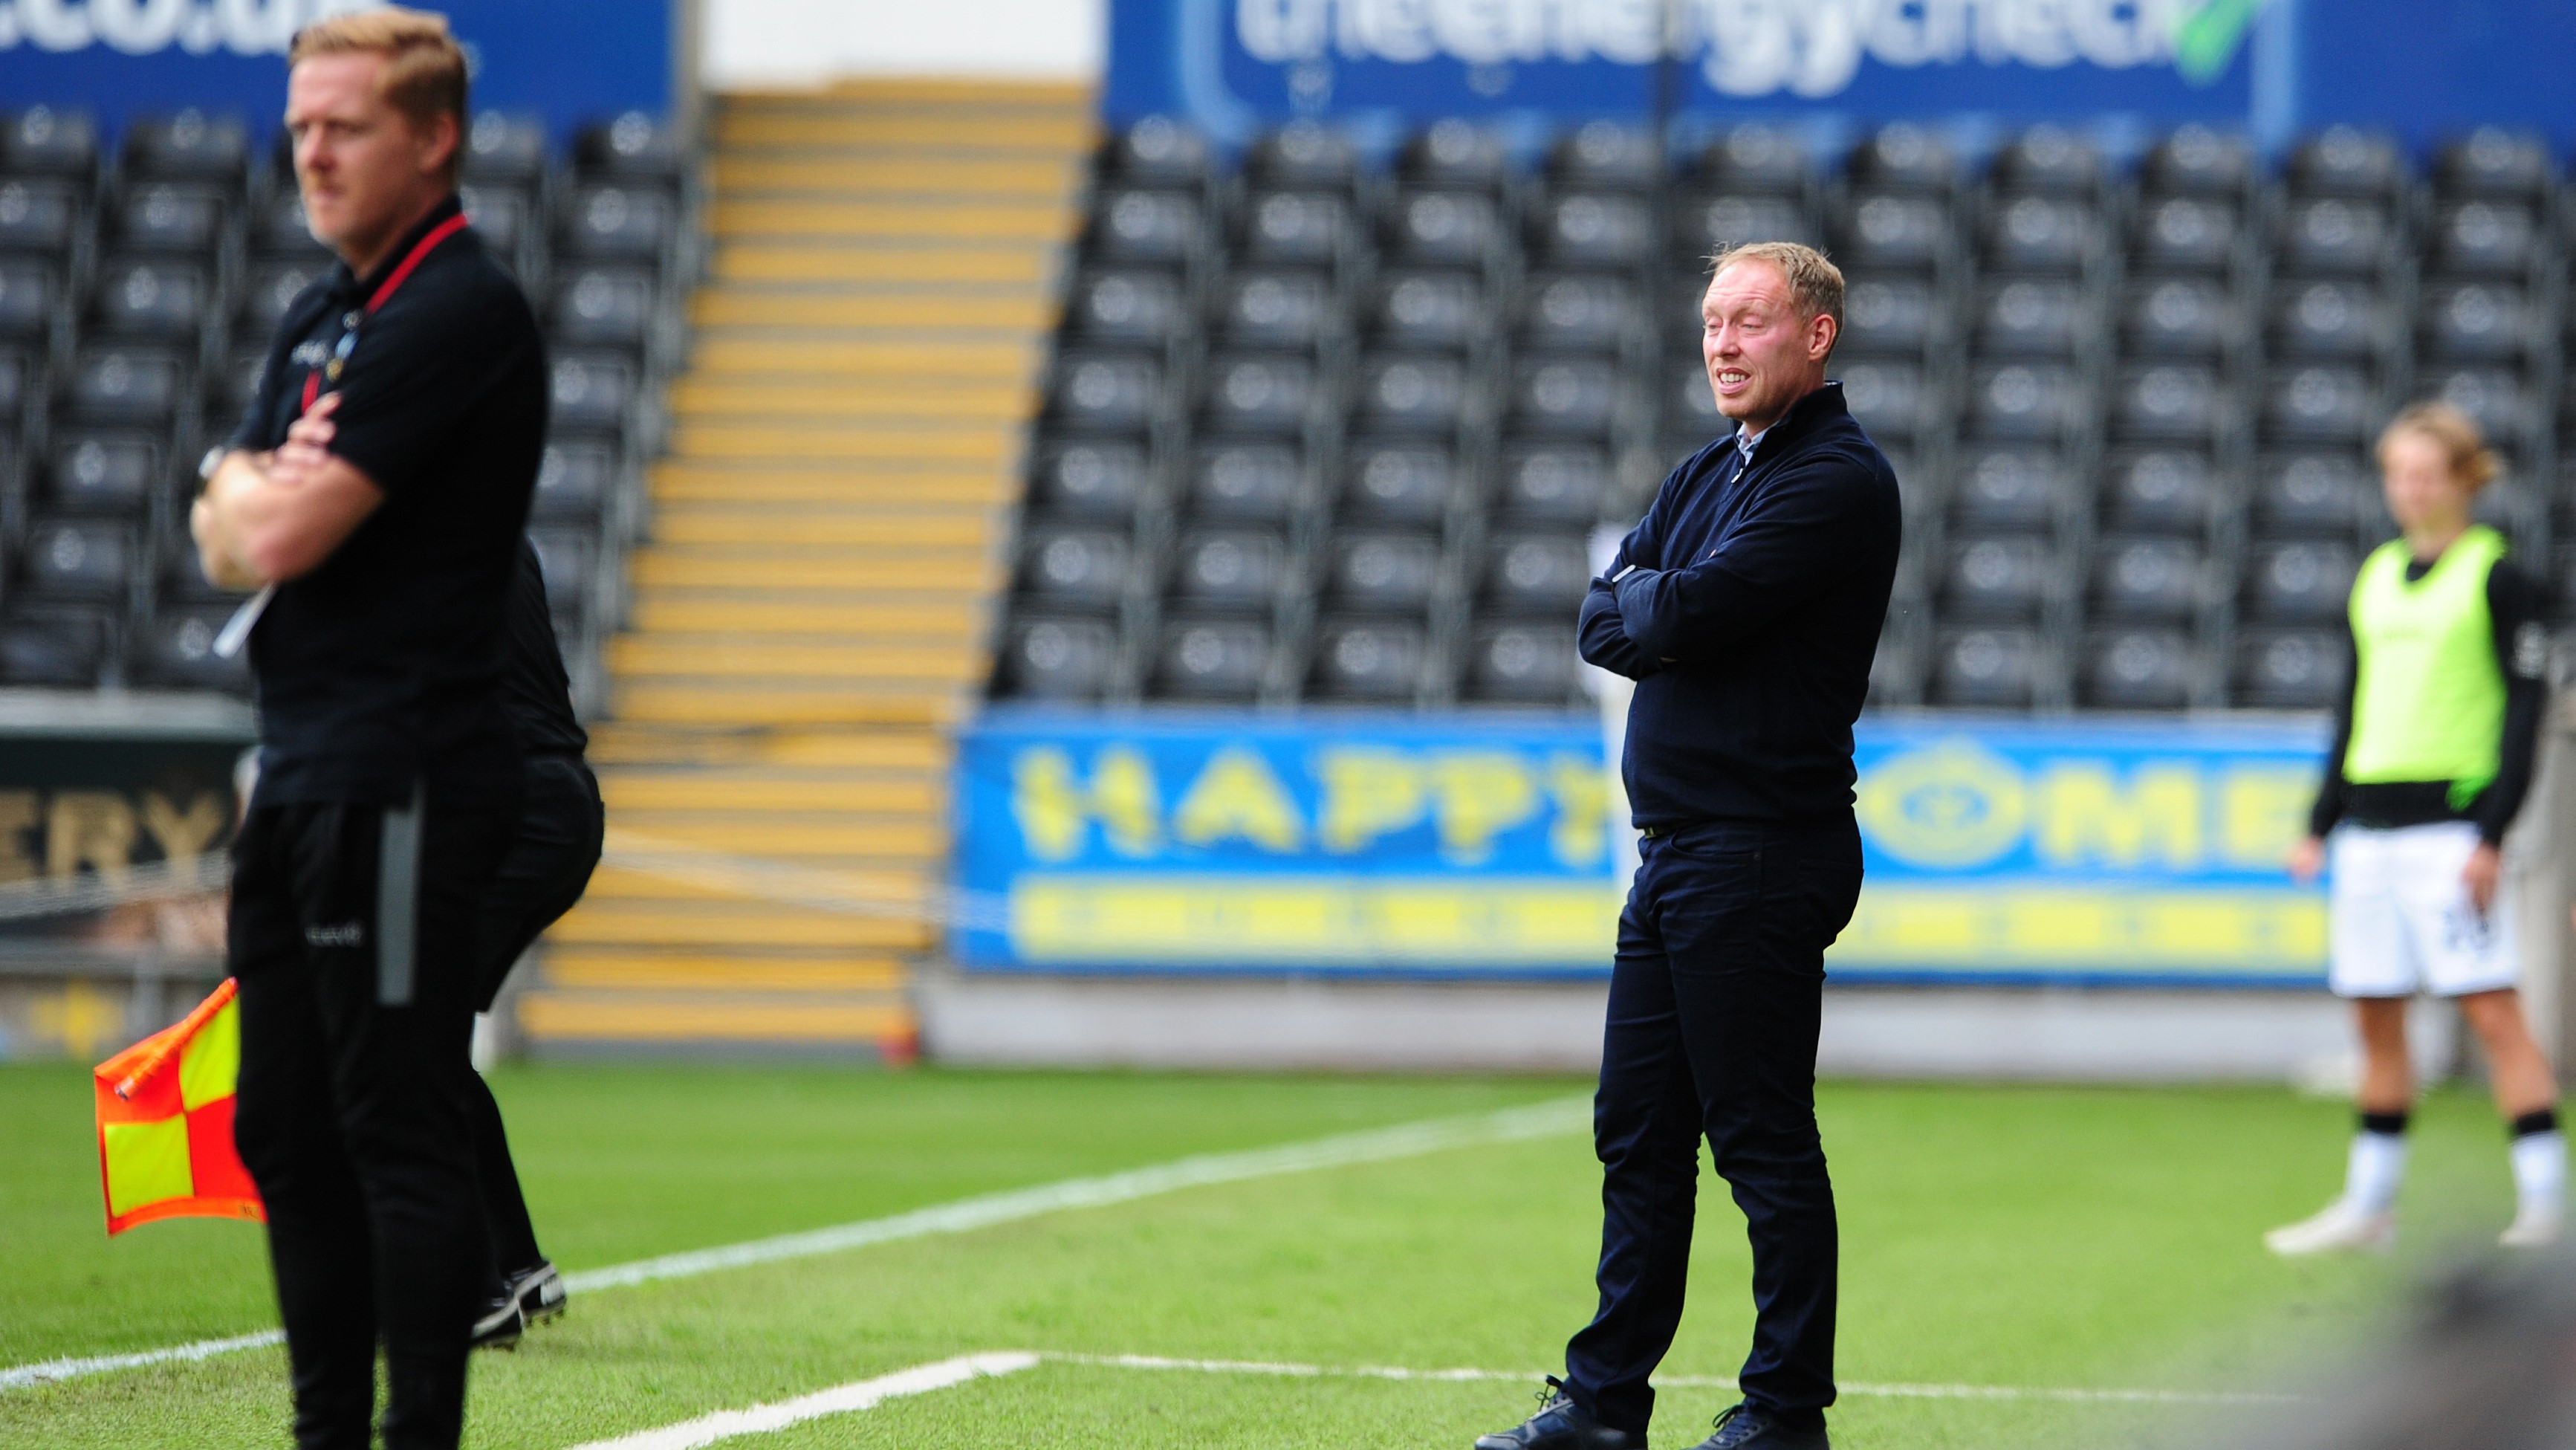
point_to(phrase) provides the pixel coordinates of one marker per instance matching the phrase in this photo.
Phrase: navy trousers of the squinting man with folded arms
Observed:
(1712, 1031)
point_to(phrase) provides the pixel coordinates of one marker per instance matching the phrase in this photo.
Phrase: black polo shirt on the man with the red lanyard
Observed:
(383, 668)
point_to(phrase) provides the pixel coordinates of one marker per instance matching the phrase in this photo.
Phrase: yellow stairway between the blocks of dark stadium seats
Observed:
(826, 555)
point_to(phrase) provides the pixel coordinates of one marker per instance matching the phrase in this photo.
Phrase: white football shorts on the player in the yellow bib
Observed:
(2402, 923)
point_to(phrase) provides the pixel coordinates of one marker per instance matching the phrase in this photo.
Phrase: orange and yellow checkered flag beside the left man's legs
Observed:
(166, 1122)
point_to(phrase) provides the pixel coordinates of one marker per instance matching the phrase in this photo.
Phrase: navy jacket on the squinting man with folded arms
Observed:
(1748, 609)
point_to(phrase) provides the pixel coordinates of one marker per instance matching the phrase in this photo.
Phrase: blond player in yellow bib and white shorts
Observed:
(2433, 756)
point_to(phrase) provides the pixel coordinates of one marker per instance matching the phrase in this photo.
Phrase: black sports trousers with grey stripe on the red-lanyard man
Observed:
(357, 936)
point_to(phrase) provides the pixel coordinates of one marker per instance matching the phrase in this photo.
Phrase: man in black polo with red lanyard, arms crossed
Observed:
(390, 777)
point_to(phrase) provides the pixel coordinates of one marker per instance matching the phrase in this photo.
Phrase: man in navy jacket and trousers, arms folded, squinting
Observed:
(1745, 607)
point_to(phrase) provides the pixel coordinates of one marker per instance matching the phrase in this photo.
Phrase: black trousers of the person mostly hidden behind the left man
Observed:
(540, 880)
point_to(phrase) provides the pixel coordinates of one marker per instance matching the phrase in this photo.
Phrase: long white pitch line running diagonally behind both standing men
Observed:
(967, 1214)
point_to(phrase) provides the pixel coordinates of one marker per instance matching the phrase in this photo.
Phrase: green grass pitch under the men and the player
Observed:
(1993, 1238)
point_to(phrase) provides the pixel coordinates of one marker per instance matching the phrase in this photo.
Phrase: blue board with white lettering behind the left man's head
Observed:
(122, 58)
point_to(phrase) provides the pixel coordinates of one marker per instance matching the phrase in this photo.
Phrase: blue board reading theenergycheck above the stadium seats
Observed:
(2268, 66)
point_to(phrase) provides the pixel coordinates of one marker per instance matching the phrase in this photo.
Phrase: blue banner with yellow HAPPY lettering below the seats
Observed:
(1998, 851)
